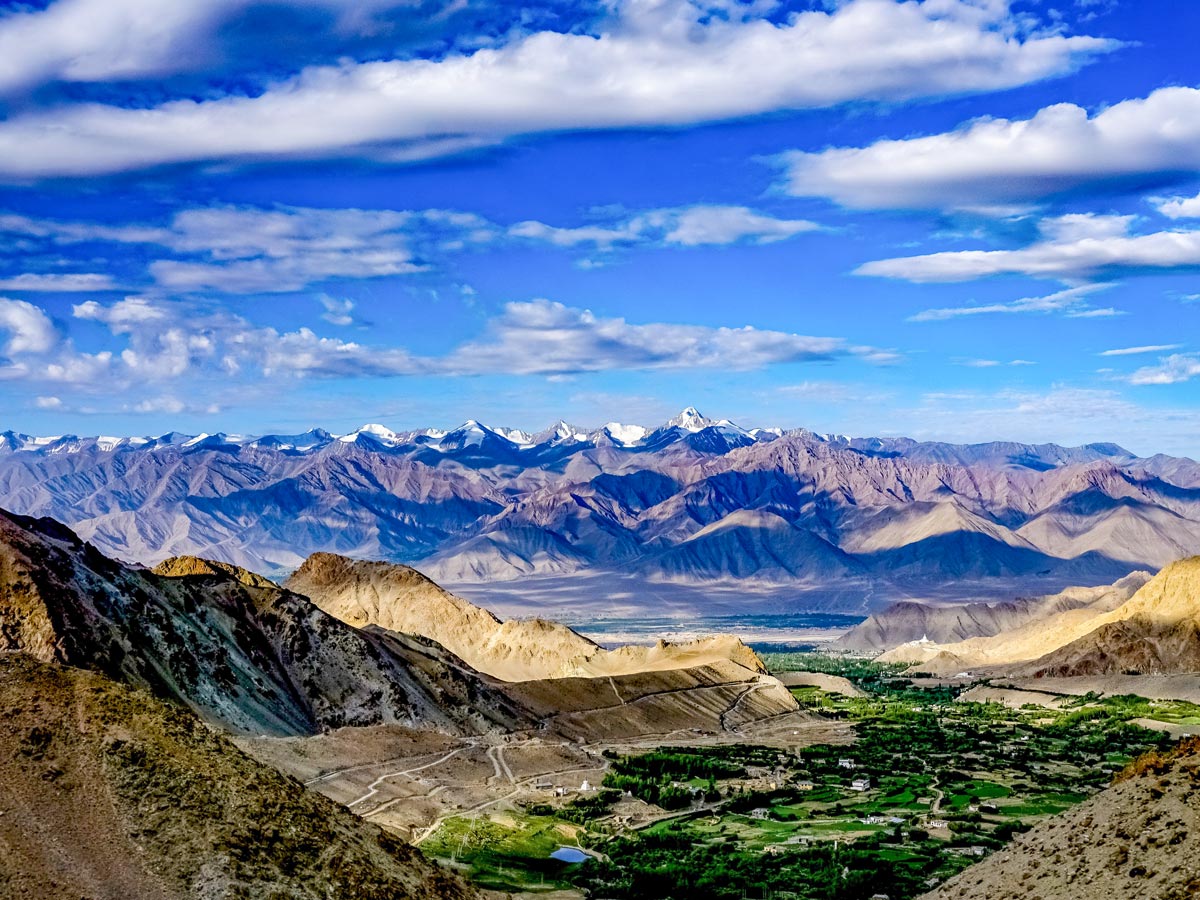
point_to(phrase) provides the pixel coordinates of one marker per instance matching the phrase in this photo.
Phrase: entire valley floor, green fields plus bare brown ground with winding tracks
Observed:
(947, 775)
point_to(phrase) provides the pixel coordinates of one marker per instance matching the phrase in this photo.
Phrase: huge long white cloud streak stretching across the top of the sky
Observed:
(655, 63)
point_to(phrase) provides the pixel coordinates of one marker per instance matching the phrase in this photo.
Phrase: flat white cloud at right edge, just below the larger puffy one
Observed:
(1077, 247)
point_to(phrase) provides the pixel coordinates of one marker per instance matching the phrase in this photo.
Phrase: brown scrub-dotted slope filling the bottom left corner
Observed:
(111, 795)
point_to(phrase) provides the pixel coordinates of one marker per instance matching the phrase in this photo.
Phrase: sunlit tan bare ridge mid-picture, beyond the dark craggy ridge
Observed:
(401, 599)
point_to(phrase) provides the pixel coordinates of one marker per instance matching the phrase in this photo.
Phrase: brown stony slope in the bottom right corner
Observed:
(1138, 841)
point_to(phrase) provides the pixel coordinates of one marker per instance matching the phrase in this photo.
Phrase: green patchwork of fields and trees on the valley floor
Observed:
(945, 776)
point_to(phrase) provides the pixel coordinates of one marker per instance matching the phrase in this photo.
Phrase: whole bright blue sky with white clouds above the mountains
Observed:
(955, 219)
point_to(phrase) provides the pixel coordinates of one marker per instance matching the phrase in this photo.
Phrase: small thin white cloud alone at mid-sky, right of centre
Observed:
(686, 226)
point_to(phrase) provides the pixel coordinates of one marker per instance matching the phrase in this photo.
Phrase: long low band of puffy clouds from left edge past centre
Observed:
(154, 345)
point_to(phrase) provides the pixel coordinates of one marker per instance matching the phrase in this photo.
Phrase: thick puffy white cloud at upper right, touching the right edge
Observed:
(1000, 163)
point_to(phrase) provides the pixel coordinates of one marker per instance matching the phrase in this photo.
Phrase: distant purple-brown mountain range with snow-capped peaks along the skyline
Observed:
(691, 502)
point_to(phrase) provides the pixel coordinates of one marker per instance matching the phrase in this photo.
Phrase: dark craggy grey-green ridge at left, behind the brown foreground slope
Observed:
(245, 655)
